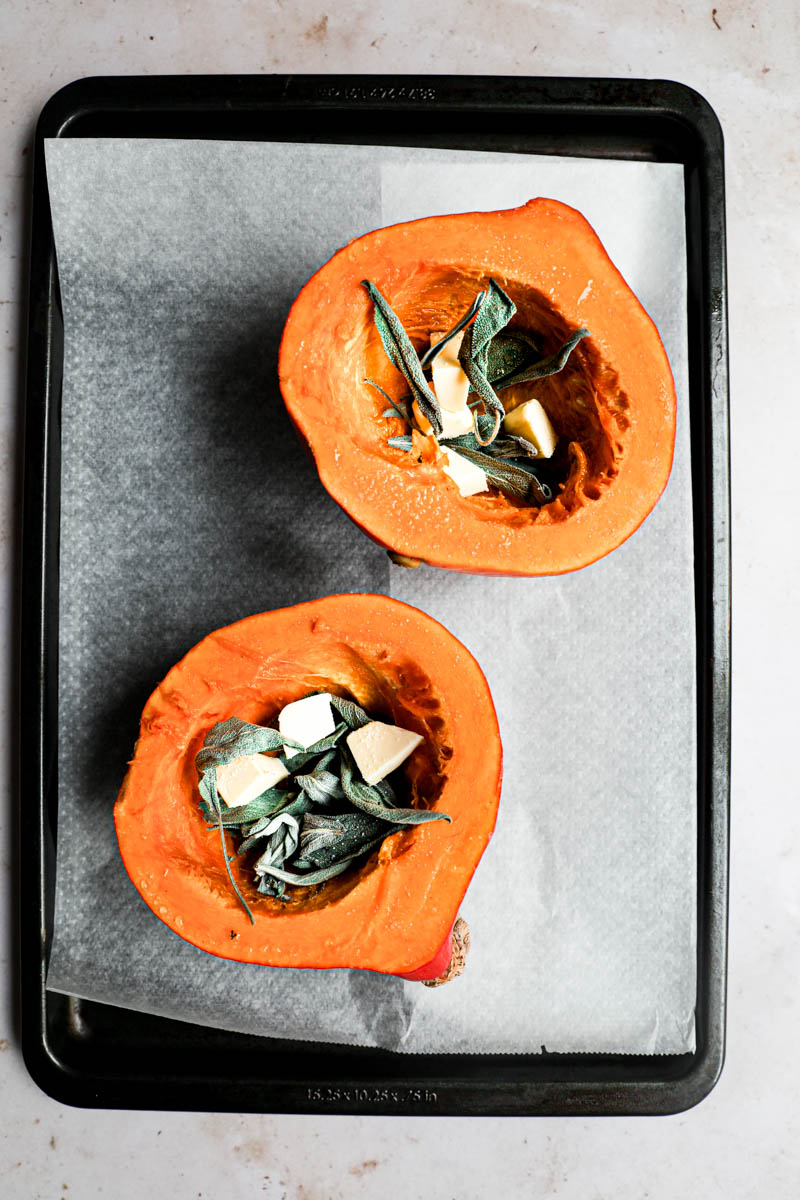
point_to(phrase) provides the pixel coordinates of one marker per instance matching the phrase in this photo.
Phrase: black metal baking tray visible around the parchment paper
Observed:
(89, 1054)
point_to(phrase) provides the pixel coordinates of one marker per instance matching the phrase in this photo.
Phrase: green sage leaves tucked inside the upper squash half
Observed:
(494, 358)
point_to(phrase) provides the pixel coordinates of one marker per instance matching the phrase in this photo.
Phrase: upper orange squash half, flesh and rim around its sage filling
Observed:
(613, 406)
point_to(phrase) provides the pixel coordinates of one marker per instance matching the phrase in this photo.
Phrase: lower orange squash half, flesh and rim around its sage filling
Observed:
(393, 915)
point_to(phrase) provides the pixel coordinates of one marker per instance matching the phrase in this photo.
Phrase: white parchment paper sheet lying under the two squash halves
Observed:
(188, 505)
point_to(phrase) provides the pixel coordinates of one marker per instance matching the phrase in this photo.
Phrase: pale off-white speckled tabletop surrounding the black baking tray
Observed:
(743, 1141)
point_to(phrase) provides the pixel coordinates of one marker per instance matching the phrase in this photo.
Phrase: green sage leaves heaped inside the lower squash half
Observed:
(318, 820)
